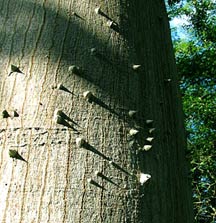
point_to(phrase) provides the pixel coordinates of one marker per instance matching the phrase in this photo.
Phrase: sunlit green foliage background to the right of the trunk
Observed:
(196, 63)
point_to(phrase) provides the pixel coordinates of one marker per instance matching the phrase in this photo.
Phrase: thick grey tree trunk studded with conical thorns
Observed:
(87, 159)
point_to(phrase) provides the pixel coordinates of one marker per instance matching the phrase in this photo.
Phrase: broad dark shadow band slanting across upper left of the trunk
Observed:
(65, 37)
